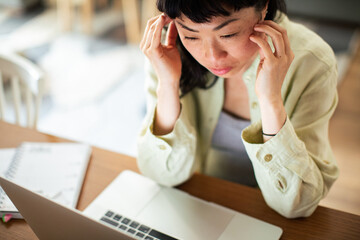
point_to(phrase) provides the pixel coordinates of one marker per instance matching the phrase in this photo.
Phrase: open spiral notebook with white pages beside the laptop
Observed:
(55, 170)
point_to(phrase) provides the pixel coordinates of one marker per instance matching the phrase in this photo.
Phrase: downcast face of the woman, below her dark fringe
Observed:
(221, 45)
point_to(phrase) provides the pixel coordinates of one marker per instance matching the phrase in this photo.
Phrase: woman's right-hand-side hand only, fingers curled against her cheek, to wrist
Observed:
(273, 65)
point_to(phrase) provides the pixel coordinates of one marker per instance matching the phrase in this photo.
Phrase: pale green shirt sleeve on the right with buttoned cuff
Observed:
(296, 168)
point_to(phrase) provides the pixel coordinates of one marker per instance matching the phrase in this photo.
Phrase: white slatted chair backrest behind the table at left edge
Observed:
(27, 85)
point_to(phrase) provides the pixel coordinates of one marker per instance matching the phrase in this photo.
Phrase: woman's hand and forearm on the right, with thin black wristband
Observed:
(271, 73)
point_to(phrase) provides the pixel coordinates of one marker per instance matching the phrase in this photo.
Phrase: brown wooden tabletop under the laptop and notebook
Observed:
(104, 166)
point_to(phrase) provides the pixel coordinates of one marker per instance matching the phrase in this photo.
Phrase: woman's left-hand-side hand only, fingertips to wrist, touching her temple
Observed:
(165, 58)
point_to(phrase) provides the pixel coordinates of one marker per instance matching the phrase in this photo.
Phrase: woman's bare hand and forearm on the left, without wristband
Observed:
(165, 58)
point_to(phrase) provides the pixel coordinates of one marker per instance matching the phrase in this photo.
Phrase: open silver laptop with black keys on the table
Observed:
(136, 207)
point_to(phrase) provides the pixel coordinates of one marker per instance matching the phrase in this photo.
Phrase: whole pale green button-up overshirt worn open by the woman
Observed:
(296, 168)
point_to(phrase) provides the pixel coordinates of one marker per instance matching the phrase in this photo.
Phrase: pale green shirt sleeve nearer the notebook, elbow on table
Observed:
(168, 159)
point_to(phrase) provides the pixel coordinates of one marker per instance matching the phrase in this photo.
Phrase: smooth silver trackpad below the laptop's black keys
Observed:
(185, 217)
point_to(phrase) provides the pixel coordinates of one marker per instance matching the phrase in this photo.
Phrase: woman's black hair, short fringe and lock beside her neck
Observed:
(201, 11)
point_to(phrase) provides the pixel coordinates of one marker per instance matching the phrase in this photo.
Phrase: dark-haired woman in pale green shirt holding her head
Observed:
(240, 92)
